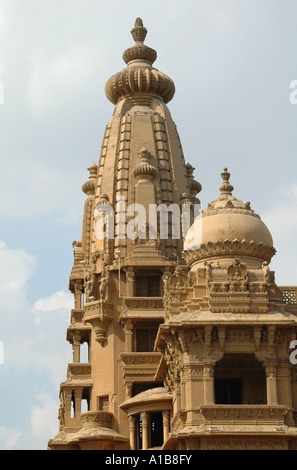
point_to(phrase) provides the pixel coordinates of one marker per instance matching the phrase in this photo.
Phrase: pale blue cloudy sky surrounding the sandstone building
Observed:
(232, 62)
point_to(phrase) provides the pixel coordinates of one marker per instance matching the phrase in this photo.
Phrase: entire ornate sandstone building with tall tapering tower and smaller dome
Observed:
(188, 342)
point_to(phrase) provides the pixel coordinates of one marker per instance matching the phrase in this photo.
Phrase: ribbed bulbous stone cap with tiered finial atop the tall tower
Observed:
(140, 81)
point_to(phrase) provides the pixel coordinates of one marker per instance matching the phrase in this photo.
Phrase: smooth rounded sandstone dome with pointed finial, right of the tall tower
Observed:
(229, 227)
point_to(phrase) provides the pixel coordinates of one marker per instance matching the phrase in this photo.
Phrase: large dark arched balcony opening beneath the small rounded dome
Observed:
(240, 380)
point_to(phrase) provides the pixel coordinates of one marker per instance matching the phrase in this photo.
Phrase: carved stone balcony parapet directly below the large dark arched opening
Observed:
(244, 414)
